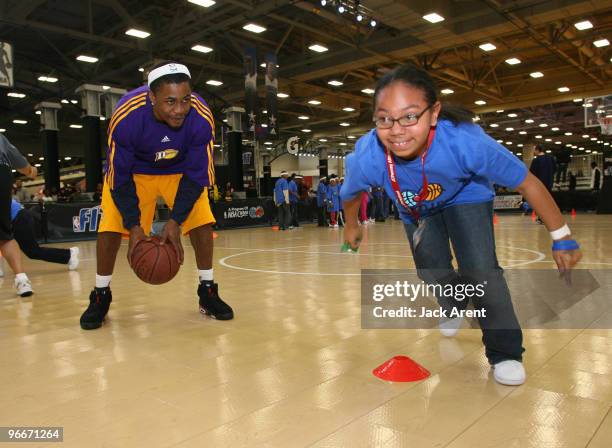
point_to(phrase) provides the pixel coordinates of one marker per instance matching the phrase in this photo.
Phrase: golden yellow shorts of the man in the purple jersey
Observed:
(148, 188)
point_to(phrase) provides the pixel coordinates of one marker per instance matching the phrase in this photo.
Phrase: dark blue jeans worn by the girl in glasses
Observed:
(469, 228)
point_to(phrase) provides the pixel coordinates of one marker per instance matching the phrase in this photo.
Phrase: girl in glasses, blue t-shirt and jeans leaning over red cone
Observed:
(439, 168)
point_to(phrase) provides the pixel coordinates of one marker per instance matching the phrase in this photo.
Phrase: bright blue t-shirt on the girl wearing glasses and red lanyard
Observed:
(461, 166)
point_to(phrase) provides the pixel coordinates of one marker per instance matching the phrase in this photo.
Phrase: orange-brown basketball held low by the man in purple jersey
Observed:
(153, 262)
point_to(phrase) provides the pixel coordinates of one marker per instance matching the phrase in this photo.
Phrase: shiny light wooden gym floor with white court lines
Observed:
(294, 367)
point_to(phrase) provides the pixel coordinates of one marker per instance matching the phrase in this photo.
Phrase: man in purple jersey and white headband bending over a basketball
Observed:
(160, 143)
